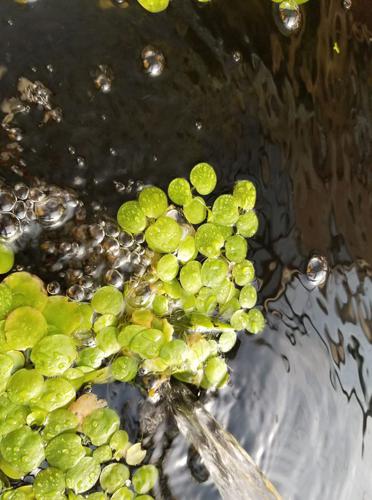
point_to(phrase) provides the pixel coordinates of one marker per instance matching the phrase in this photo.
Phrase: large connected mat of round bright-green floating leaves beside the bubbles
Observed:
(177, 320)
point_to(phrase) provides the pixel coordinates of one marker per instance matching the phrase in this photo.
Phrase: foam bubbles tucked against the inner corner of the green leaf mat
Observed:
(84, 256)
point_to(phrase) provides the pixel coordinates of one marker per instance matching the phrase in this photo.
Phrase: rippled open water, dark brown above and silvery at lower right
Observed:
(293, 115)
